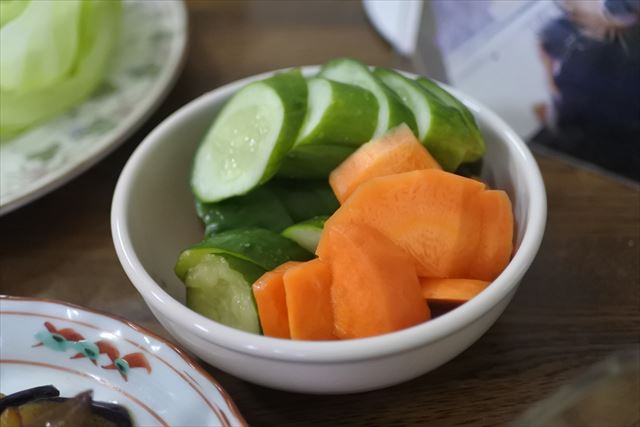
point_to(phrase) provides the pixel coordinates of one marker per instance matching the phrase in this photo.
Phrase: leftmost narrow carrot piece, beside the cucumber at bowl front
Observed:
(269, 293)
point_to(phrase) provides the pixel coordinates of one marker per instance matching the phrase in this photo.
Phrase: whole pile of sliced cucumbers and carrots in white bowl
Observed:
(332, 208)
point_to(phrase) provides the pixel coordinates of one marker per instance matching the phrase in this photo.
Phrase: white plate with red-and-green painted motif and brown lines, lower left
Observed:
(76, 349)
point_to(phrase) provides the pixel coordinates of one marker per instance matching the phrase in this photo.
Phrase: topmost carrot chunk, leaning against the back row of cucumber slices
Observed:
(396, 151)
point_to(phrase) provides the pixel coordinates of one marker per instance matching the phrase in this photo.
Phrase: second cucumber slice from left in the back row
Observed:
(337, 114)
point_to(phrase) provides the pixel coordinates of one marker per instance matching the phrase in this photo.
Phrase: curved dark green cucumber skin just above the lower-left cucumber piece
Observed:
(264, 248)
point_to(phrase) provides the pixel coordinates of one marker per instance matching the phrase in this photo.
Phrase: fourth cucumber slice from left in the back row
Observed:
(441, 127)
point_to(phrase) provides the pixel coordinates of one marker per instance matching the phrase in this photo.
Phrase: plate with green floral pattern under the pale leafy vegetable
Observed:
(150, 52)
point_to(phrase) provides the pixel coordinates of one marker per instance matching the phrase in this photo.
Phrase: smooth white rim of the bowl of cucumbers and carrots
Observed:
(164, 305)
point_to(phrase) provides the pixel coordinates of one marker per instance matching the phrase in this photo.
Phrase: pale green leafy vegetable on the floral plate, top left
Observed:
(53, 54)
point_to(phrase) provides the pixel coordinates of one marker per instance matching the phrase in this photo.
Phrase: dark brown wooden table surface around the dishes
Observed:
(579, 302)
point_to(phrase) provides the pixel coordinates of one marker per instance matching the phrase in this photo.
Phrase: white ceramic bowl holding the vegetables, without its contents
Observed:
(153, 219)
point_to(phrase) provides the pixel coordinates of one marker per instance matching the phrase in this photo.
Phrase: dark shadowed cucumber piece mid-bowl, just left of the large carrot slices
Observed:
(305, 199)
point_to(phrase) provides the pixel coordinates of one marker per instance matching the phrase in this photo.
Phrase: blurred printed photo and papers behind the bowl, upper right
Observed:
(564, 74)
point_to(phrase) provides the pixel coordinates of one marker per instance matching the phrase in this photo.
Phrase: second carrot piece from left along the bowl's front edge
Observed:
(308, 292)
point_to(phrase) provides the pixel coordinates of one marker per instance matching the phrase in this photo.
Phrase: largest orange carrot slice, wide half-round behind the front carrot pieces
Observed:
(428, 213)
